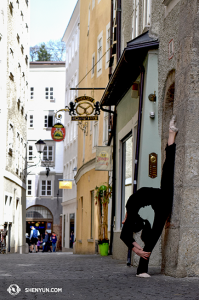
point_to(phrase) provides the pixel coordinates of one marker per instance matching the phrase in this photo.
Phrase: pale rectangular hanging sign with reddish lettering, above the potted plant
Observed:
(103, 160)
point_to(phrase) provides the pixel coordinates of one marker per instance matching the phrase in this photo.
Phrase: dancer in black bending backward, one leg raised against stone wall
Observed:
(161, 201)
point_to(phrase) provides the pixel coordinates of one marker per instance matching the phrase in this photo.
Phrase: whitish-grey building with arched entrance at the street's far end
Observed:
(43, 197)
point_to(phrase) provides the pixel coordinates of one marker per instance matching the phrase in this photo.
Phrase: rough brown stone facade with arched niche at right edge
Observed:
(175, 23)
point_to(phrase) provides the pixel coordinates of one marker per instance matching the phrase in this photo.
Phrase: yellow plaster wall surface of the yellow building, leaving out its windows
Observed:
(88, 180)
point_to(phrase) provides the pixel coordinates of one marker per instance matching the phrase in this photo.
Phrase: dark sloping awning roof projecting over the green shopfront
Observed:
(128, 68)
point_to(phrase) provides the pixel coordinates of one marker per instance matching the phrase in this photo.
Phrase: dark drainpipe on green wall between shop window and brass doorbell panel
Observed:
(137, 145)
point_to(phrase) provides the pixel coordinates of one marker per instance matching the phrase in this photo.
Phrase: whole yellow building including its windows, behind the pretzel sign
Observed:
(93, 73)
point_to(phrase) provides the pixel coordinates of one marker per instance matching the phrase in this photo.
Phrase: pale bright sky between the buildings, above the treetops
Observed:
(49, 19)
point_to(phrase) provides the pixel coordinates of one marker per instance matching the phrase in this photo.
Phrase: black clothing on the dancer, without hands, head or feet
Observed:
(161, 201)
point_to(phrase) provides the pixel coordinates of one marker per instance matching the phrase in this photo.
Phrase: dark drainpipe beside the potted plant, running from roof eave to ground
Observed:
(113, 135)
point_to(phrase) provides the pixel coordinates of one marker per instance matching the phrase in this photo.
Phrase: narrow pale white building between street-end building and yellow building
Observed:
(71, 38)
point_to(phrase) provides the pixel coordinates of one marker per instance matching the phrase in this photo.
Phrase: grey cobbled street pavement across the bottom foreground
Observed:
(63, 275)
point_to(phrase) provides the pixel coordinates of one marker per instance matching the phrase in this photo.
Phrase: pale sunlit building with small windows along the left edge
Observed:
(14, 51)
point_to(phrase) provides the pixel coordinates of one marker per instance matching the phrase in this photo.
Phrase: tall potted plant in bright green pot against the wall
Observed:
(102, 196)
